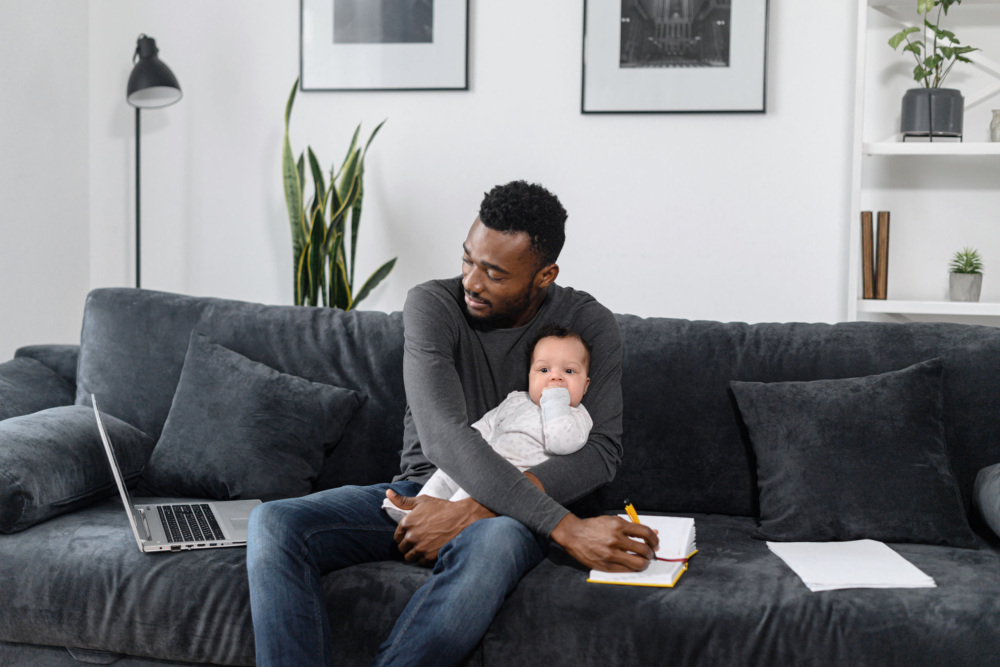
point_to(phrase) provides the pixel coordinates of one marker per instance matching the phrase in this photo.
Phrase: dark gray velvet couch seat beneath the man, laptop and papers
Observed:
(737, 605)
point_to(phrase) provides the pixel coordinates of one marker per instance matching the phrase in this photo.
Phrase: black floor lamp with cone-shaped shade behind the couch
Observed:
(151, 85)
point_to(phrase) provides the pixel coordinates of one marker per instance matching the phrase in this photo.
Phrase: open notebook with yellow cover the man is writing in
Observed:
(677, 545)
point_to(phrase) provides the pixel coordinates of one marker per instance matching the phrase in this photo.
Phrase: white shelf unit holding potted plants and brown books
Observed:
(907, 177)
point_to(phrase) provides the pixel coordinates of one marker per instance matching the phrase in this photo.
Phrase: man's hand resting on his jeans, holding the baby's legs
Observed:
(431, 524)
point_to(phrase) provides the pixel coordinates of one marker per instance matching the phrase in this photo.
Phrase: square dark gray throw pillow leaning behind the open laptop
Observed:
(240, 429)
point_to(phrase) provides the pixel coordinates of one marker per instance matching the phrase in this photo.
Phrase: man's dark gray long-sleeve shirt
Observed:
(455, 371)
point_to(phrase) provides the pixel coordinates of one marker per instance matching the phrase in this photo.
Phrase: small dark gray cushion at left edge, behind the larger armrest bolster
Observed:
(27, 385)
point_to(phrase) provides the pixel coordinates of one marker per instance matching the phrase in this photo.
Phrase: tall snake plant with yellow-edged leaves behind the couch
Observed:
(324, 266)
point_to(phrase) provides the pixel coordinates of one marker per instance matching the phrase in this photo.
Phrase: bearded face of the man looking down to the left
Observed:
(500, 277)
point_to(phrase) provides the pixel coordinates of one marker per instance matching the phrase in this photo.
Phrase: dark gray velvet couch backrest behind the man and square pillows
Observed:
(685, 447)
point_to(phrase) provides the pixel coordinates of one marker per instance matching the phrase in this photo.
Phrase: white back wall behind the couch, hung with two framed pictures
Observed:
(719, 216)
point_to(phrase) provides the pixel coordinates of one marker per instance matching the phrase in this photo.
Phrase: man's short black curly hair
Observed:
(519, 206)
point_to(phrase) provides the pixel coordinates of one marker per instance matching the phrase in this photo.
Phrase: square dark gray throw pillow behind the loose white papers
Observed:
(854, 458)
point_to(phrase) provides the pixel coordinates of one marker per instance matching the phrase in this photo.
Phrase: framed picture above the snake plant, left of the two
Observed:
(384, 45)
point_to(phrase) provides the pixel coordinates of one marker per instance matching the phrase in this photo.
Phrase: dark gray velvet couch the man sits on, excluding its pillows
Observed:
(75, 589)
